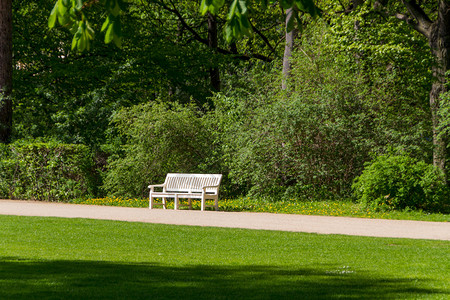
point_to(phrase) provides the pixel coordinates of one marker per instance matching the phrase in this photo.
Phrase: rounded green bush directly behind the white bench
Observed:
(159, 138)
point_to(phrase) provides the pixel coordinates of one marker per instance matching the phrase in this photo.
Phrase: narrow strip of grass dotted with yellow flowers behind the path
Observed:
(326, 208)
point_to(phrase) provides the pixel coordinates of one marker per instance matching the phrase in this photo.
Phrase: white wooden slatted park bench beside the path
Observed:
(187, 186)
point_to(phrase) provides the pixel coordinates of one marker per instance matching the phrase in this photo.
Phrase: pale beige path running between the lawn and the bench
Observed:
(264, 221)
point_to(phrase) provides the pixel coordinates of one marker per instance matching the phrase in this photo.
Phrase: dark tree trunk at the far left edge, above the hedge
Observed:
(5, 70)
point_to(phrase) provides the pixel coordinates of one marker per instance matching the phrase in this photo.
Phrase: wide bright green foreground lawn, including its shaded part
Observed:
(52, 258)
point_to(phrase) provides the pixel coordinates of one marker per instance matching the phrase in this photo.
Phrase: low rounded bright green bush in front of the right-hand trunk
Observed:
(400, 182)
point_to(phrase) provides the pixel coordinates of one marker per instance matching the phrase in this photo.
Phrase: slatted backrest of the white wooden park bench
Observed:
(192, 183)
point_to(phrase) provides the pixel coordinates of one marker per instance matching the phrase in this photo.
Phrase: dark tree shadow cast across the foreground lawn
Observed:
(28, 279)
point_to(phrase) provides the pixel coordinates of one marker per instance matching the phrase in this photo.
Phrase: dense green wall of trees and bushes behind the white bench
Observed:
(337, 107)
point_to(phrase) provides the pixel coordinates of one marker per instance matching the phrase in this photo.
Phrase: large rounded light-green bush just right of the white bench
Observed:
(308, 142)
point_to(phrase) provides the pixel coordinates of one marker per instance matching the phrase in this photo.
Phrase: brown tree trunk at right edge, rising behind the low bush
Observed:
(439, 41)
